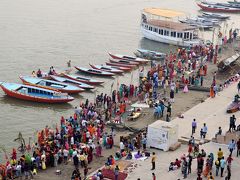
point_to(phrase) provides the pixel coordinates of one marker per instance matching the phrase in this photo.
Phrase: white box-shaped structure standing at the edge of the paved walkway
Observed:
(162, 135)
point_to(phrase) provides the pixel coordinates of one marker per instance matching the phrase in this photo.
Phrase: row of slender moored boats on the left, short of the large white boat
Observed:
(55, 88)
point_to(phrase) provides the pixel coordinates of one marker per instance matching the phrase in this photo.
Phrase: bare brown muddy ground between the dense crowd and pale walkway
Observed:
(190, 99)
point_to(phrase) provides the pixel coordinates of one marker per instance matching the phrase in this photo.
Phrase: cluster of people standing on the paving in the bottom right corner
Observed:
(208, 166)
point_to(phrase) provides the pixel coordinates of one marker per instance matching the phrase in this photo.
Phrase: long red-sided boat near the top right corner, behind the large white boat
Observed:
(217, 8)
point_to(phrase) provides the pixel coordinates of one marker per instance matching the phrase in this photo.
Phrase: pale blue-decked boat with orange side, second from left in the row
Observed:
(52, 85)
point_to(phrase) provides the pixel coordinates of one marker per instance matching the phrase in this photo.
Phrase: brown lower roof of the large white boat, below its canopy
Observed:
(170, 25)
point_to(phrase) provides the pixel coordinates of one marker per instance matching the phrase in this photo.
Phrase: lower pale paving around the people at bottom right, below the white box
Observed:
(164, 158)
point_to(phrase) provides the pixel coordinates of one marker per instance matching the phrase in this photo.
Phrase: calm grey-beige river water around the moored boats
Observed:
(43, 33)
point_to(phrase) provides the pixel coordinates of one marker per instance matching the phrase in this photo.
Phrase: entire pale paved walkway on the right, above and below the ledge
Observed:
(213, 113)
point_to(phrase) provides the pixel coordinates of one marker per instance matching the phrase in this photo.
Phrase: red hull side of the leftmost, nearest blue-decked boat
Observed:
(27, 97)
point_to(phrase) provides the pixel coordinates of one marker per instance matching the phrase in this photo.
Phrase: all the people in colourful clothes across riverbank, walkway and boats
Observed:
(83, 135)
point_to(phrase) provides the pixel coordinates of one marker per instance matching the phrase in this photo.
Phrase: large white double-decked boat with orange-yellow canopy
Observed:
(159, 25)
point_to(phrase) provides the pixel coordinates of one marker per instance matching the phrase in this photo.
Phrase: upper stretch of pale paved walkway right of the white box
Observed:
(212, 112)
